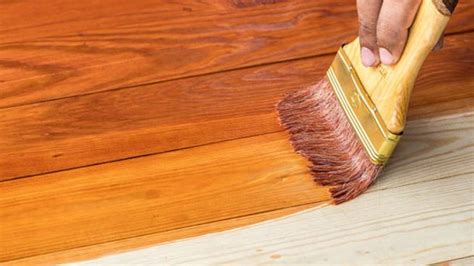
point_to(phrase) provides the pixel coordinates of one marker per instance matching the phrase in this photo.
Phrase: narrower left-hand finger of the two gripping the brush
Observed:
(368, 11)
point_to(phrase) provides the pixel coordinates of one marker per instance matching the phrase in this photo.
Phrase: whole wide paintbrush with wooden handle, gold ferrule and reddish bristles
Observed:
(349, 123)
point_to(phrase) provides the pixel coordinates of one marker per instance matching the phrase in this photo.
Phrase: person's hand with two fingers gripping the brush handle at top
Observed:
(383, 29)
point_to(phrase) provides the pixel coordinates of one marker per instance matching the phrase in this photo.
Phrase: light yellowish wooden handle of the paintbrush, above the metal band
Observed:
(390, 86)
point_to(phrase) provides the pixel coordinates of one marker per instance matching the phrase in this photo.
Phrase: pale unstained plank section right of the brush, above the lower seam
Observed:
(426, 151)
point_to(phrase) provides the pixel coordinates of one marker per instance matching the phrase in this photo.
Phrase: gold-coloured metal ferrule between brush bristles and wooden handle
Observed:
(377, 140)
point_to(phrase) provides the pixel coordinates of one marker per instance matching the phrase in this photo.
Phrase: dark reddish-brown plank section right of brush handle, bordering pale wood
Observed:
(437, 85)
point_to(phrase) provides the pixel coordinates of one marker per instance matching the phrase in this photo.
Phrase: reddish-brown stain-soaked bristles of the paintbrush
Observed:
(321, 132)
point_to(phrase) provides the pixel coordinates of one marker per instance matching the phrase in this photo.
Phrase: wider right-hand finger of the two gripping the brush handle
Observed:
(395, 18)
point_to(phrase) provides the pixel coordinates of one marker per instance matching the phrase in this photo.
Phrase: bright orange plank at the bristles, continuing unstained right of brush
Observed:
(155, 194)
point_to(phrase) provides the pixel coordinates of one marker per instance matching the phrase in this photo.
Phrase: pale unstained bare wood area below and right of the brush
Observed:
(412, 215)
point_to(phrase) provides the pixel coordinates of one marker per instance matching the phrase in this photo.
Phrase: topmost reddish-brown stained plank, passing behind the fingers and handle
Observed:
(55, 49)
